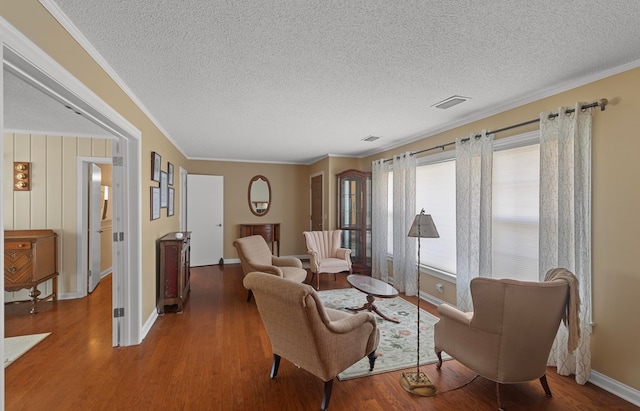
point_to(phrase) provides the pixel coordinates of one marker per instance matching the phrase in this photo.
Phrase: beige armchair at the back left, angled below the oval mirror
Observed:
(255, 255)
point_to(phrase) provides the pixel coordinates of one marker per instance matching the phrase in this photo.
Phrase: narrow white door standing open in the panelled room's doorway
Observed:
(95, 198)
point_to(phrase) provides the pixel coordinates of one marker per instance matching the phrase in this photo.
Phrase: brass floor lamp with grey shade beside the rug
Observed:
(417, 382)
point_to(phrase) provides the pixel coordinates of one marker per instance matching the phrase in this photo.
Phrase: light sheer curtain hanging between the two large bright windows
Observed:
(474, 159)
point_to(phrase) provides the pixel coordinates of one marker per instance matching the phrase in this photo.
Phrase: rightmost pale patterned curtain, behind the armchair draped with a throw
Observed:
(565, 222)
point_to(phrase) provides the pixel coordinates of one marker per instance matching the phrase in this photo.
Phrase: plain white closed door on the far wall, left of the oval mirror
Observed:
(204, 218)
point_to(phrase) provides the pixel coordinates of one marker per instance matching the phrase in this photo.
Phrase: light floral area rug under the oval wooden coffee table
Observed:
(398, 342)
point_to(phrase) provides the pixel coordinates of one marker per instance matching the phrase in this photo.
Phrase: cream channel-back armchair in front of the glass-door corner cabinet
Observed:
(326, 254)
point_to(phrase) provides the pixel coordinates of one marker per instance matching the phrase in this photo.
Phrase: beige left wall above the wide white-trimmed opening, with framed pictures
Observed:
(35, 22)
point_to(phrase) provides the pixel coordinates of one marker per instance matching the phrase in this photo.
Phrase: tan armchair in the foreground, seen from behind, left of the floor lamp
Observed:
(319, 340)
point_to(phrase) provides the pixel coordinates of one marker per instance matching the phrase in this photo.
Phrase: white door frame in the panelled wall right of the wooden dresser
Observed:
(82, 222)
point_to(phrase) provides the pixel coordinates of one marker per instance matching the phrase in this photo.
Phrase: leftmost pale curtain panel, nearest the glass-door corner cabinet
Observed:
(380, 219)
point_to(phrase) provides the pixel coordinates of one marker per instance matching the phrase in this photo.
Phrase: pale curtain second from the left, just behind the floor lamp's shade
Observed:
(404, 212)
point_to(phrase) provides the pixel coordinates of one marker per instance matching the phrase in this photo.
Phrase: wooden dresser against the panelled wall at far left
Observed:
(30, 258)
